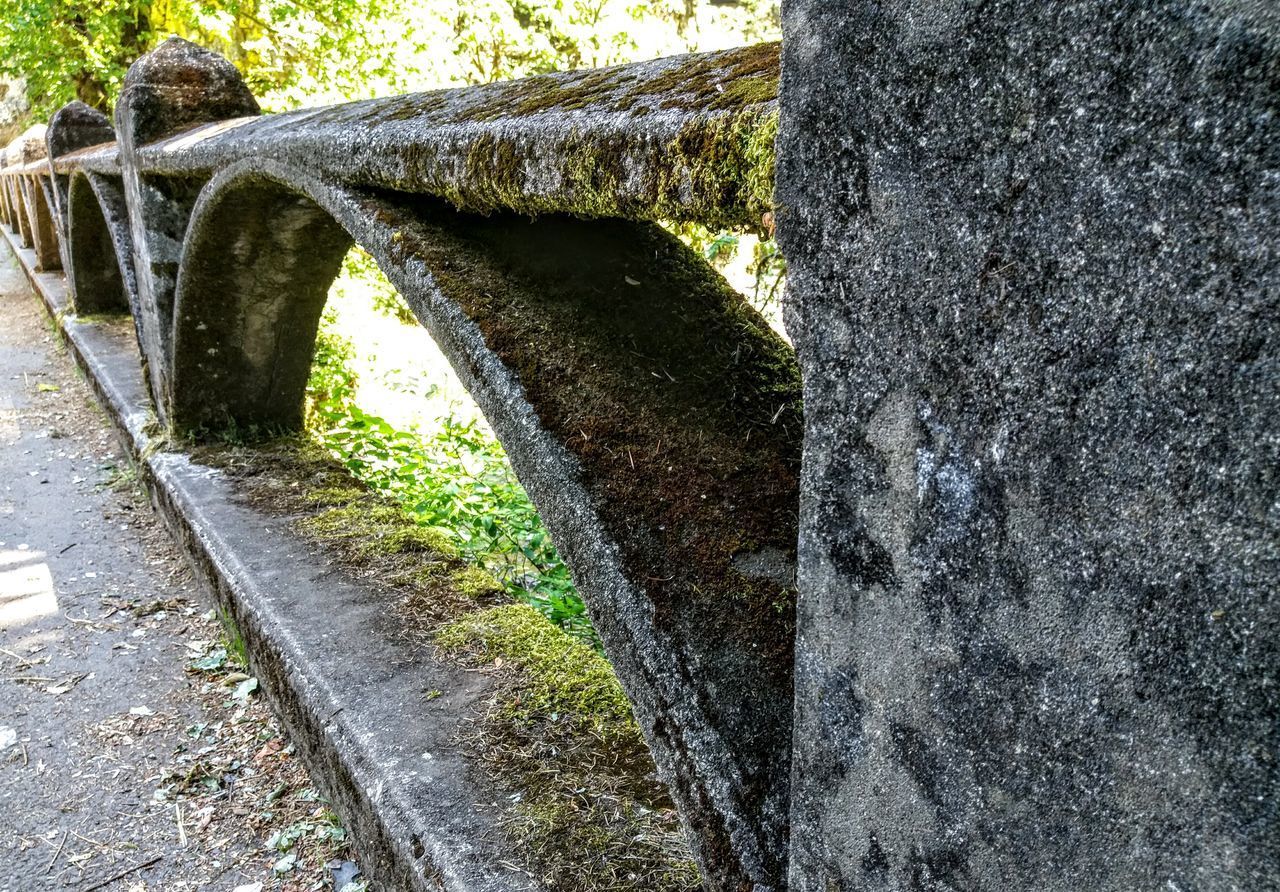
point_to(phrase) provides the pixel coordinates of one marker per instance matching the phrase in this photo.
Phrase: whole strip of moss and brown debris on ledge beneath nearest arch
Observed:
(556, 734)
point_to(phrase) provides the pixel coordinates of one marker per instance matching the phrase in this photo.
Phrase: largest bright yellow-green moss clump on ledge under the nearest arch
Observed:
(560, 675)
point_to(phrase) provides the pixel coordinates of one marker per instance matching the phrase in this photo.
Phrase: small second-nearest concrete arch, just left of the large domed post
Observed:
(99, 251)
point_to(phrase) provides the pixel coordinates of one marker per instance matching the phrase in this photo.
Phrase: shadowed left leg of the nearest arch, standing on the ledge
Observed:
(254, 281)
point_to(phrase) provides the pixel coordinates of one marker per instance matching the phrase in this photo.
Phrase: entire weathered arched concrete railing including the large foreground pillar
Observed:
(1036, 299)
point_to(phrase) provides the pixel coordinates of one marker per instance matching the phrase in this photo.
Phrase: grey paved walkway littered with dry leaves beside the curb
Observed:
(116, 756)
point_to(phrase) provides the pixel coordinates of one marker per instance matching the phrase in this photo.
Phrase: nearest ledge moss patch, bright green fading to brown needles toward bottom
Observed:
(587, 812)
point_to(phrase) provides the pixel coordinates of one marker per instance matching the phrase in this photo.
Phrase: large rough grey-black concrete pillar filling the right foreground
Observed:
(1036, 295)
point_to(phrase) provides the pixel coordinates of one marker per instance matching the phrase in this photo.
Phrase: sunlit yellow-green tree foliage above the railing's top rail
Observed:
(310, 52)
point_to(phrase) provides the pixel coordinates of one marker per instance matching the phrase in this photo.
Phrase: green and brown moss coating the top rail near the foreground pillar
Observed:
(717, 171)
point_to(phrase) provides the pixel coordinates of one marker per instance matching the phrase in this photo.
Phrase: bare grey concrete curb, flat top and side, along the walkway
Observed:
(348, 688)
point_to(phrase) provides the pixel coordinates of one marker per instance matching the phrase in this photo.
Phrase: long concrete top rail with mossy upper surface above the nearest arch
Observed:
(685, 138)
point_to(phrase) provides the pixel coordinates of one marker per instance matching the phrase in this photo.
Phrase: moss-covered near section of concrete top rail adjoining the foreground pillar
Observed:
(712, 162)
